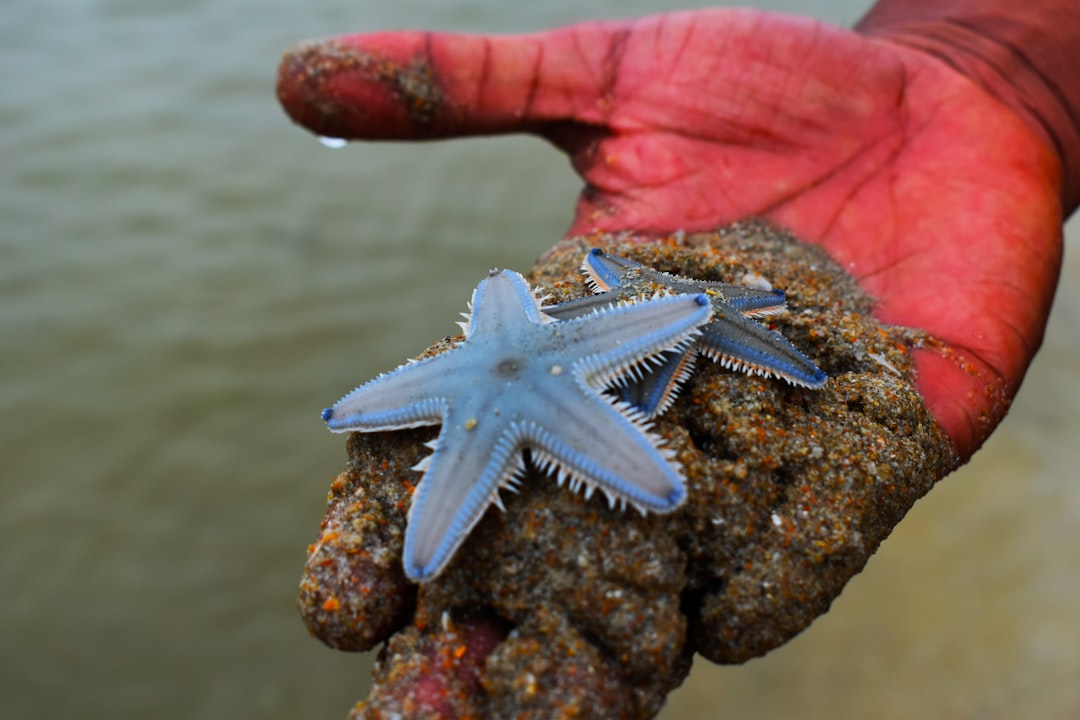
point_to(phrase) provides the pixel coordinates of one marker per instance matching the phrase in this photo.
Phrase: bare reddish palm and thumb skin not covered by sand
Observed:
(943, 201)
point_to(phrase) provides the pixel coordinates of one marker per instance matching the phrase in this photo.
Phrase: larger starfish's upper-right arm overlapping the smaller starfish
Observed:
(630, 333)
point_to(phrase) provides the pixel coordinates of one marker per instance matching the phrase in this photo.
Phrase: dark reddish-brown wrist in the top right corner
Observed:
(1023, 57)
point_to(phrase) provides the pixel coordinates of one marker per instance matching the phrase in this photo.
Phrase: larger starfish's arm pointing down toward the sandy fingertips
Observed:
(472, 460)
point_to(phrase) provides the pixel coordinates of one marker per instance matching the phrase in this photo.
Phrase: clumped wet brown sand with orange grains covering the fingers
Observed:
(572, 609)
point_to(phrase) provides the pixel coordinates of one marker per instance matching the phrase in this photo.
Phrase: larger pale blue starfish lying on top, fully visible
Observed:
(522, 381)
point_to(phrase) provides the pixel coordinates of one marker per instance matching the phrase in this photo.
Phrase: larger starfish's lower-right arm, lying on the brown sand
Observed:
(605, 446)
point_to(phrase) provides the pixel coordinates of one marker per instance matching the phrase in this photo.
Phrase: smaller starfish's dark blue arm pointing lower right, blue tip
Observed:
(740, 344)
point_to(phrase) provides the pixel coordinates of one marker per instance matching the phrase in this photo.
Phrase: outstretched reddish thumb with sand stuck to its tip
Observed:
(411, 86)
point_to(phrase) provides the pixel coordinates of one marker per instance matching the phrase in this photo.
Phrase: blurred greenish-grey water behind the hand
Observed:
(186, 280)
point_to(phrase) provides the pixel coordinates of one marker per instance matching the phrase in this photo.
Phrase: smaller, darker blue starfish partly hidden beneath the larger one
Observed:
(733, 338)
